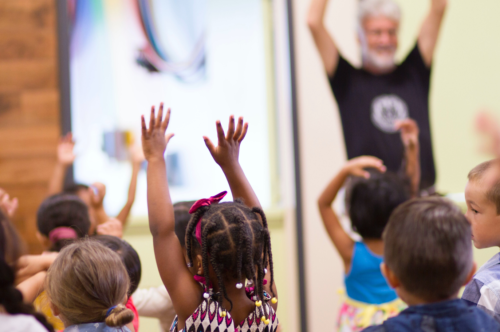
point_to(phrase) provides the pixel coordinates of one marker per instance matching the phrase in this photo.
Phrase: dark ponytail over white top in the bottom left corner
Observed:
(12, 299)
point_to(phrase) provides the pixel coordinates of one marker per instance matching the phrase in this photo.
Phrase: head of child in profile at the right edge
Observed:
(482, 195)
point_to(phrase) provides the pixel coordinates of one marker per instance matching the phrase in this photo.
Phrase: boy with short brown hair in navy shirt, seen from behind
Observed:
(428, 258)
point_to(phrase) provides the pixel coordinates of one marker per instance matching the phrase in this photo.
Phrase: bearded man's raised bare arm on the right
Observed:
(429, 32)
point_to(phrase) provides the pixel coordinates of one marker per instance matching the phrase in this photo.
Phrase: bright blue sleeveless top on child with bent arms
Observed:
(365, 282)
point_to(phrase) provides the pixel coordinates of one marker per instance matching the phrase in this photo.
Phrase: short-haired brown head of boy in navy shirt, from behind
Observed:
(427, 250)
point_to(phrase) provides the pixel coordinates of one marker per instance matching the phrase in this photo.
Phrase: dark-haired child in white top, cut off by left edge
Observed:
(15, 314)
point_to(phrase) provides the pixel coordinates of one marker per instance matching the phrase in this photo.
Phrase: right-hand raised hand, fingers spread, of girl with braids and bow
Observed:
(228, 149)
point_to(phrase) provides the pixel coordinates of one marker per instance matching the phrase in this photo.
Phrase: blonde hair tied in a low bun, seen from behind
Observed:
(86, 281)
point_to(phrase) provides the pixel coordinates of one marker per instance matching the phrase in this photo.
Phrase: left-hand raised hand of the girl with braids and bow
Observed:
(154, 140)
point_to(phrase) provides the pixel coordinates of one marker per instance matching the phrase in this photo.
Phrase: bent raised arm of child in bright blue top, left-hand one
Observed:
(341, 240)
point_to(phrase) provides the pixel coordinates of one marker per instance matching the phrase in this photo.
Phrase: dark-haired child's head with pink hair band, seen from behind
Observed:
(61, 219)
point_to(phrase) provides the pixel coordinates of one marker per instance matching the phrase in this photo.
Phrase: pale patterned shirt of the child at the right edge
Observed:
(484, 289)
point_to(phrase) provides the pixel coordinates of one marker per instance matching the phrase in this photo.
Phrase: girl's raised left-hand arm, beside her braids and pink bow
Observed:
(185, 293)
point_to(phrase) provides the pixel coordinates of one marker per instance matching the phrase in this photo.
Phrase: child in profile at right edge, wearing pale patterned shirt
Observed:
(482, 195)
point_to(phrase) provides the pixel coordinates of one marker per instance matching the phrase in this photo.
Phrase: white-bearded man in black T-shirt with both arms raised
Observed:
(375, 97)
